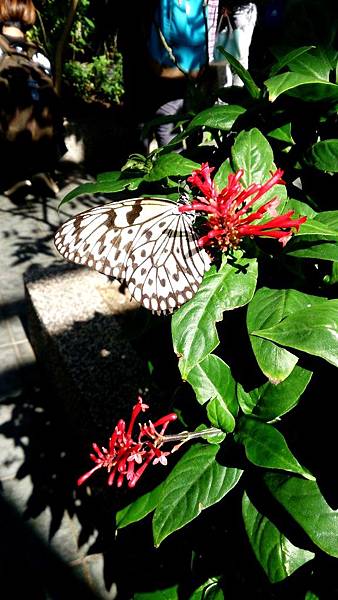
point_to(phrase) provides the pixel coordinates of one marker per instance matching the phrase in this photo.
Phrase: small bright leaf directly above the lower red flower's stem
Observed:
(212, 381)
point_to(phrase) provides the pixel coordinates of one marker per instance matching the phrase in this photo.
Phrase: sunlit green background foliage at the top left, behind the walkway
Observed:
(92, 65)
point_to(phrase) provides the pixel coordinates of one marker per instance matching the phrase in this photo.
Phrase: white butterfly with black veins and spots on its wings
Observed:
(145, 242)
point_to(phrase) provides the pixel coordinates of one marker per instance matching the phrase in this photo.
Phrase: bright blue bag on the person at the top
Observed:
(178, 43)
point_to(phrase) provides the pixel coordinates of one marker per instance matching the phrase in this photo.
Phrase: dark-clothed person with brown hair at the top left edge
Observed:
(31, 135)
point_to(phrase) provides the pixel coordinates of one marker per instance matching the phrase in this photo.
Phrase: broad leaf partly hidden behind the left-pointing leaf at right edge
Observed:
(267, 308)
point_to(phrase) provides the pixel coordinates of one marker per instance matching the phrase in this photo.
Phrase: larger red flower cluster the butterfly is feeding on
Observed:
(231, 211)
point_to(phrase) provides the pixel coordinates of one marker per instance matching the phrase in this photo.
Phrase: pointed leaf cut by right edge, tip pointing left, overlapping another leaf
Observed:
(313, 330)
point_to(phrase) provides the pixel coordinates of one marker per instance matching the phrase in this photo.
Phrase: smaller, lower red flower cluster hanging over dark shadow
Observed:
(127, 458)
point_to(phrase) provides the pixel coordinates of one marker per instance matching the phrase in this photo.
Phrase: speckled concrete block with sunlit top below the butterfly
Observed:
(79, 341)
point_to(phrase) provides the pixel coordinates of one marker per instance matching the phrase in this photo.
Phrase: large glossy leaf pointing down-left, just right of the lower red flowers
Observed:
(196, 482)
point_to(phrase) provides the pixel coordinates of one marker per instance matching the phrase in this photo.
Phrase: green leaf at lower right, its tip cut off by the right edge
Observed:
(303, 500)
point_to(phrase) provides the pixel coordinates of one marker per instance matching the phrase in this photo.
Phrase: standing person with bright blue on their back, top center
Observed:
(161, 89)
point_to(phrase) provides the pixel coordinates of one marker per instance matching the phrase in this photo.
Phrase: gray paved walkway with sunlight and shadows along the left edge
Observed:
(49, 540)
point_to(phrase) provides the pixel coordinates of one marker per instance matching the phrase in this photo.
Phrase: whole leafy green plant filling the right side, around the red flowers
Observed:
(258, 341)
